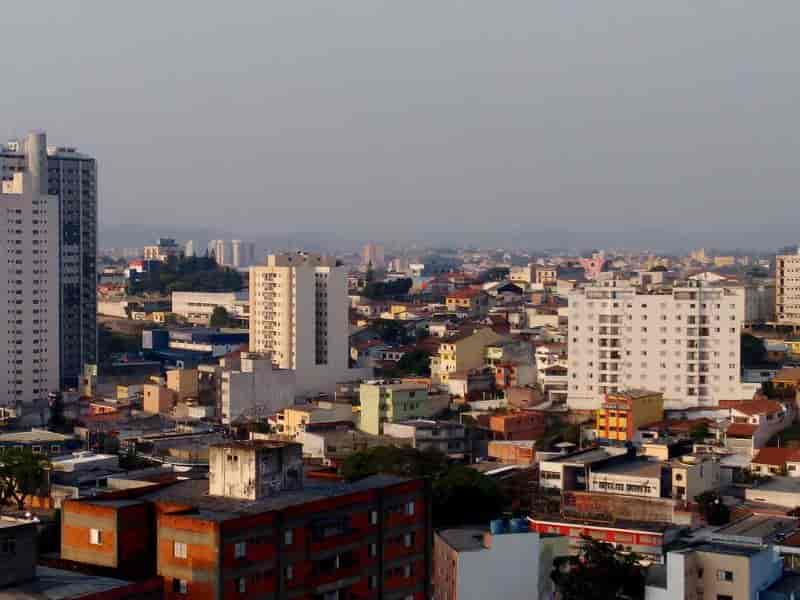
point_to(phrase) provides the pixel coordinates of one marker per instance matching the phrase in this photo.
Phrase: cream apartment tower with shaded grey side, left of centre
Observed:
(299, 315)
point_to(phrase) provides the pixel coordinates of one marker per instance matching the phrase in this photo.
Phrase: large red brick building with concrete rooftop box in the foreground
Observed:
(322, 539)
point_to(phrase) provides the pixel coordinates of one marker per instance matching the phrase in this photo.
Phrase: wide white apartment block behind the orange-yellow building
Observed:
(684, 342)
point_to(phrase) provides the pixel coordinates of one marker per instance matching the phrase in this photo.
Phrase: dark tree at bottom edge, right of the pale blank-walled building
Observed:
(598, 572)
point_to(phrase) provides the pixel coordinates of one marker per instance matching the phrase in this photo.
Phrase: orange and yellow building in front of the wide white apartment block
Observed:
(621, 414)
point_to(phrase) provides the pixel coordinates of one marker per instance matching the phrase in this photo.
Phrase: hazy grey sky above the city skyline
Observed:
(370, 118)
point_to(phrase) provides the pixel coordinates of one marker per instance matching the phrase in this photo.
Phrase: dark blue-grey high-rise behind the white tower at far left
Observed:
(71, 177)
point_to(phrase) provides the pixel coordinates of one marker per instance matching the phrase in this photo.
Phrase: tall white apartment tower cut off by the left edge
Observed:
(30, 291)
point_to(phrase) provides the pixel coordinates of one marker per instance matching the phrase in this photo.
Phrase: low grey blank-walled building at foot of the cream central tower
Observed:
(257, 388)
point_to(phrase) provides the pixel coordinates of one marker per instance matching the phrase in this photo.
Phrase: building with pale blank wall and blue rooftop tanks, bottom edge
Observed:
(470, 563)
